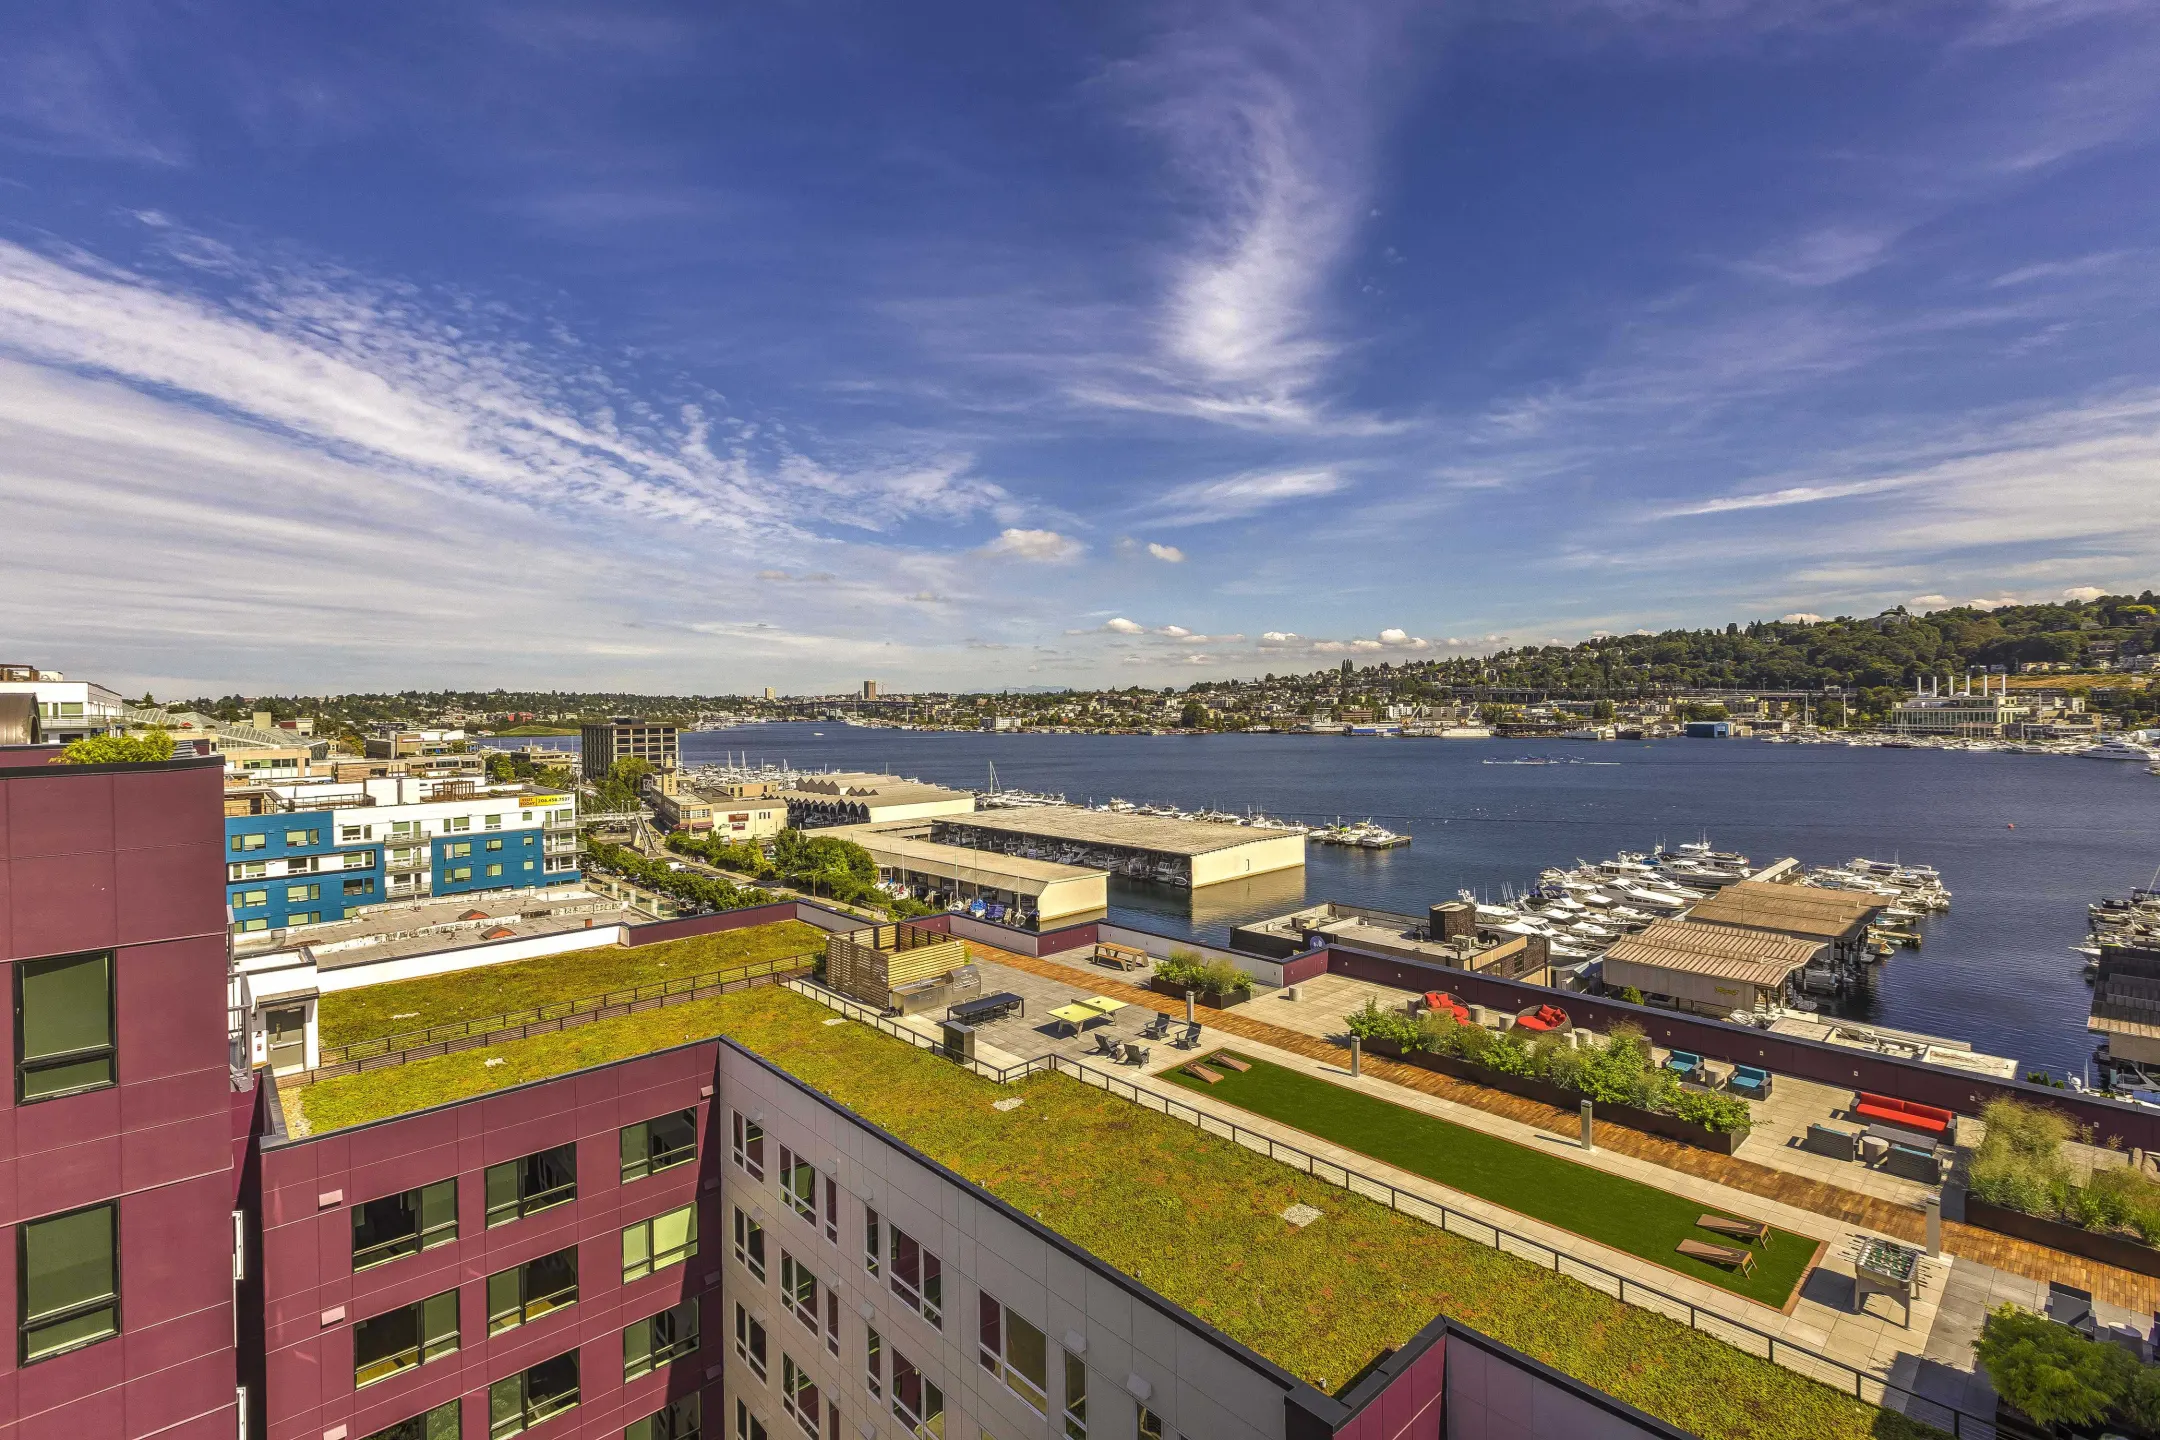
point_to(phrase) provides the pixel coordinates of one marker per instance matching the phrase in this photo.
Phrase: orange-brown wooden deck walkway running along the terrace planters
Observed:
(2008, 1253)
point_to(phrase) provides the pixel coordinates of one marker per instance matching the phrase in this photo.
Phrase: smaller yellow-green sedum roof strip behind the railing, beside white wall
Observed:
(403, 1007)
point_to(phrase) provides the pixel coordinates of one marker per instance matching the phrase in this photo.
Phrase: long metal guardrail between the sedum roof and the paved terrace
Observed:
(1761, 1344)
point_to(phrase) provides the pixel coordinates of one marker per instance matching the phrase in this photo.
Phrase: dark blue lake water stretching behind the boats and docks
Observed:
(2025, 843)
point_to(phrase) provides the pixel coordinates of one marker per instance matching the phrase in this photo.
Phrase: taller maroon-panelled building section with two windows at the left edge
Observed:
(118, 1160)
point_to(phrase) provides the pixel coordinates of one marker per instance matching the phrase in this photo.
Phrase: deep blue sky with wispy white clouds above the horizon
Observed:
(703, 349)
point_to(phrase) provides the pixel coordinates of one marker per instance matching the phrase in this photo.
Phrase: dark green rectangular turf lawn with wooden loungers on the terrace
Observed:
(1593, 1204)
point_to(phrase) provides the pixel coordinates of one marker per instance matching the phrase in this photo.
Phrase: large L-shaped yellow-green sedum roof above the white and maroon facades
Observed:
(1193, 1217)
